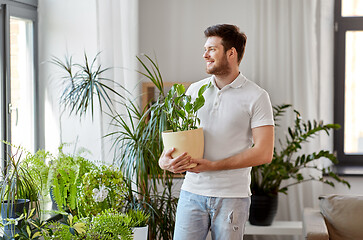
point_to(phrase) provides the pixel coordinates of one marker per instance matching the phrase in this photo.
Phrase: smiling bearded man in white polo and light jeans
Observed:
(238, 127)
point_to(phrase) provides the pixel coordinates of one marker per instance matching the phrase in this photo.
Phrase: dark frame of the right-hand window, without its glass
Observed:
(349, 164)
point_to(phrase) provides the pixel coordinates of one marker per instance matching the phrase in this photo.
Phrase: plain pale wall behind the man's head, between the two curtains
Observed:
(173, 30)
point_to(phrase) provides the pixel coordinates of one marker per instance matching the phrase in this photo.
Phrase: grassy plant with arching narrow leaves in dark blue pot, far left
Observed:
(18, 191)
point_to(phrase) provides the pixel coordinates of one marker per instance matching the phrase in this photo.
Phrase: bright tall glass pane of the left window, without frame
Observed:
(21, 105)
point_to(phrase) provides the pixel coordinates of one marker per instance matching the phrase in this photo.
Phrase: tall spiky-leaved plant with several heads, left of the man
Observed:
(137, 140)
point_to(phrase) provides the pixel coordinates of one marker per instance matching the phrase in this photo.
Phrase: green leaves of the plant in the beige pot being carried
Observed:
(181, 110)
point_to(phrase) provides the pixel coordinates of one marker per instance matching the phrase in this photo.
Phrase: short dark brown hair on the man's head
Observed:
(231, 37)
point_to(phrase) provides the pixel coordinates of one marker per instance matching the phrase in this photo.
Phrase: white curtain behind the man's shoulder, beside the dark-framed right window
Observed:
(293, 61)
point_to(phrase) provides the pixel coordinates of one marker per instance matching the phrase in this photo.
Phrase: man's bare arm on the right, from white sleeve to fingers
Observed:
(260, 153)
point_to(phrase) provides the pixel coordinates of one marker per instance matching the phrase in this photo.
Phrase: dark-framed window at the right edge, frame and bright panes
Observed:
(348, 141)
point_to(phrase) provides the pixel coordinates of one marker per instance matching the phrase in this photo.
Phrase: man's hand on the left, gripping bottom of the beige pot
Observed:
(175, 165)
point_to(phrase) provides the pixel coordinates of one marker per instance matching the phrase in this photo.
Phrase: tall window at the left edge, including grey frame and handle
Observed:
(18, 71)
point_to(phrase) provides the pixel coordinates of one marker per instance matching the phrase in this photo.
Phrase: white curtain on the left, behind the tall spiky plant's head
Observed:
(117, 40)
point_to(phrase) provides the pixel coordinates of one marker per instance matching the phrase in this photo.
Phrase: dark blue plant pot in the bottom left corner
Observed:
(12, 210)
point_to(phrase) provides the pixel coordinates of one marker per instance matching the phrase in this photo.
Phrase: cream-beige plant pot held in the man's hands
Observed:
(190, 141)
